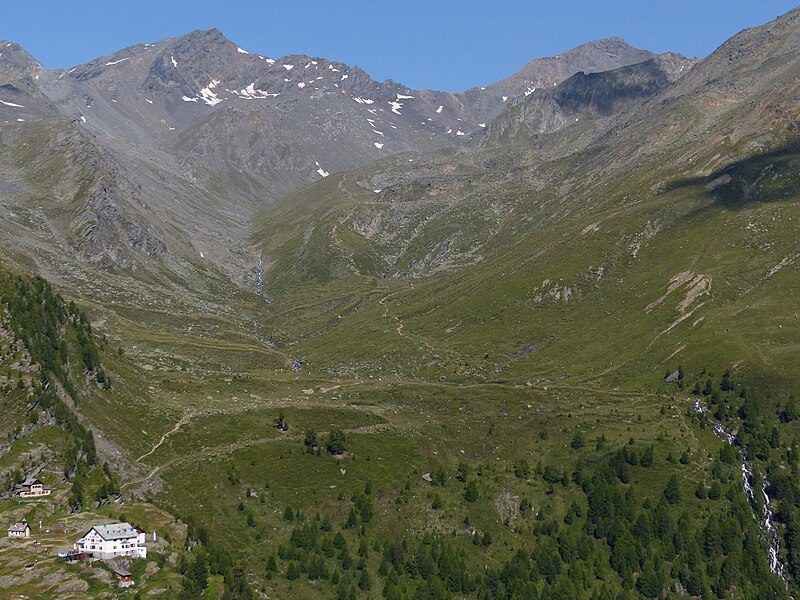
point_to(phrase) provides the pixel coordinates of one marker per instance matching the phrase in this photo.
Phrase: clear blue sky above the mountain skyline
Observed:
(445, 45)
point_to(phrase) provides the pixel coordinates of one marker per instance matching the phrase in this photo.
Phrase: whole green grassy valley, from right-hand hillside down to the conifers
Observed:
(213, 390)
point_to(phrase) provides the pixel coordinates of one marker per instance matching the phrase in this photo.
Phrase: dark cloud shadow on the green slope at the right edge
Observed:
(769, 177)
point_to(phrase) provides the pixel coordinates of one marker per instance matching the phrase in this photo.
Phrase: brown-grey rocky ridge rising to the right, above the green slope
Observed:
(728, 122)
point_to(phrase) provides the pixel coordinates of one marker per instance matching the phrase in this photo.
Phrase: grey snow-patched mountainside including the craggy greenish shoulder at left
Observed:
(168, 149)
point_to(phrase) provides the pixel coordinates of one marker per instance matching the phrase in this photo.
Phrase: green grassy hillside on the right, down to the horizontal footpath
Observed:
(613, 260)
